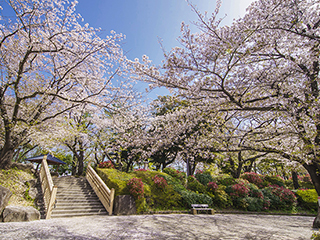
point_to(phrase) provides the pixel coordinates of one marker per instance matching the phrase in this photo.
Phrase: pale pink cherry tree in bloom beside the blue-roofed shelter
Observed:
(51, 63)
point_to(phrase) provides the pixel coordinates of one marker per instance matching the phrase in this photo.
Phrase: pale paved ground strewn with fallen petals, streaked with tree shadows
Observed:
(174, 226)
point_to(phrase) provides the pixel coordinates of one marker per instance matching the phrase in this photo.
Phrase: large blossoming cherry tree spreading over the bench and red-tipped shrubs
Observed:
(263, 69)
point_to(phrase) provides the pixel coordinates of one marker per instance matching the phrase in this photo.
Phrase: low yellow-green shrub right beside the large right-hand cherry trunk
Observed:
(308, 199)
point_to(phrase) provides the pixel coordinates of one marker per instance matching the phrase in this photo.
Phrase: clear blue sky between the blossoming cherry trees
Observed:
(144, 21)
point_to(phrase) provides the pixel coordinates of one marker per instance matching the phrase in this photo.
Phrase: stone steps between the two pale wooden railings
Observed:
(75, 198)
